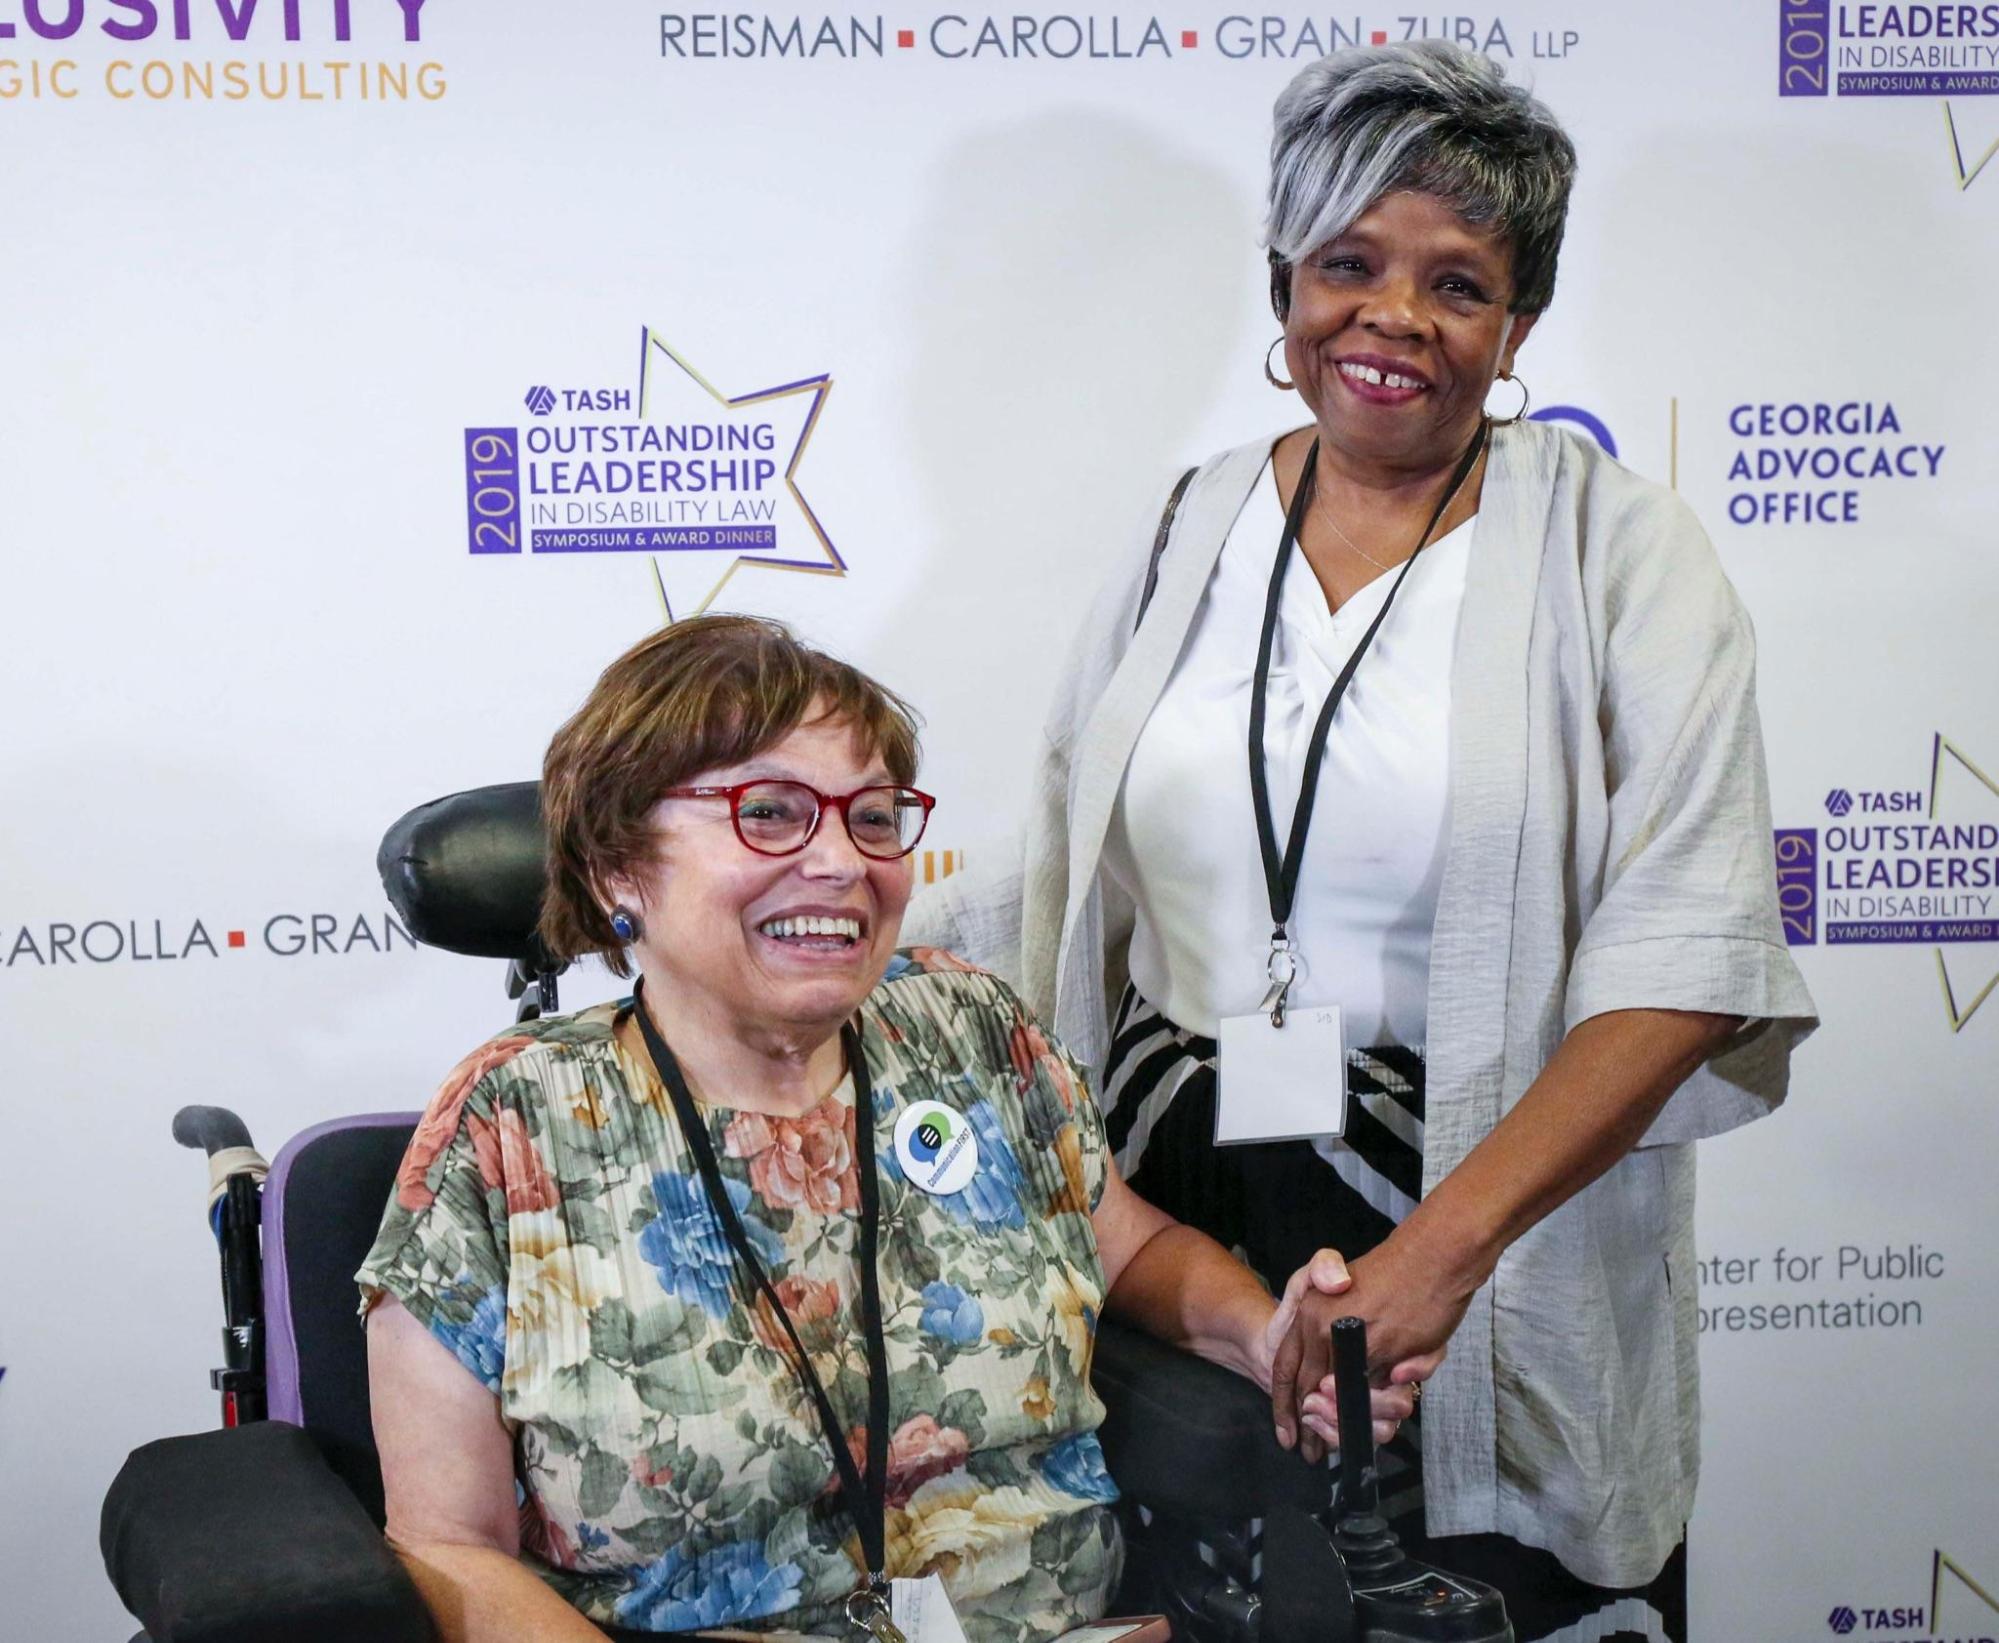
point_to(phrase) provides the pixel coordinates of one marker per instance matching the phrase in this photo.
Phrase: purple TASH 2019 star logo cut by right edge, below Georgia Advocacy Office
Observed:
(1904, 866)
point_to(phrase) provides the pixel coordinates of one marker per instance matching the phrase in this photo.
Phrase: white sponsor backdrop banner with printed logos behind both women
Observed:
(375, 371)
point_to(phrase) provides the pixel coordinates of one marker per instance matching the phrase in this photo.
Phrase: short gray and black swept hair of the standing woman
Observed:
(1420, 117)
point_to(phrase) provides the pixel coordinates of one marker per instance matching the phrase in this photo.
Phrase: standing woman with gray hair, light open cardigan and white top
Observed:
(1446, 723)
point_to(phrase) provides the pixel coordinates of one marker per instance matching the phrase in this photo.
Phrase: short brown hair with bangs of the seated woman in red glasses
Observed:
(701, 695)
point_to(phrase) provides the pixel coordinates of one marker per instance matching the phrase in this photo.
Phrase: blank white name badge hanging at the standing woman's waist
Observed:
(1282, 1084)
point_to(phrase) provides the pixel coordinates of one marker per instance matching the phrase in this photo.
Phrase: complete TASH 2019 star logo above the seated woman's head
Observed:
(661, 465)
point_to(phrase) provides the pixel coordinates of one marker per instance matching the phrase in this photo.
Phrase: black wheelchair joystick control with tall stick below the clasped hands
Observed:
(1340, 1576)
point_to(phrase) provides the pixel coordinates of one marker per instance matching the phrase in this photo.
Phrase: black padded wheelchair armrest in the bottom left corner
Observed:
(247, 1536)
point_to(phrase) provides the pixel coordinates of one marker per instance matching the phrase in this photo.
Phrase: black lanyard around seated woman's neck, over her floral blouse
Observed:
(867, 1498)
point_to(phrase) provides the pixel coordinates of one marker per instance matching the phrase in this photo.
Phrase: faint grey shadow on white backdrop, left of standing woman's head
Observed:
(1076, 293)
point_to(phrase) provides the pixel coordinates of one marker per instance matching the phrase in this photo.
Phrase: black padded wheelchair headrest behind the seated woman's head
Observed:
(467, 872)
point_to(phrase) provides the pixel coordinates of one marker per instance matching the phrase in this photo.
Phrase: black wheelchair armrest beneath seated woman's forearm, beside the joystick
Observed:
(1190, 1438)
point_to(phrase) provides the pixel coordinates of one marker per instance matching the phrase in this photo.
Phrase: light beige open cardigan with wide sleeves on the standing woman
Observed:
(1610, 850)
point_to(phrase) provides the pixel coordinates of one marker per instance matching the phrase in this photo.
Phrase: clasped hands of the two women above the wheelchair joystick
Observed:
(1410, 1320)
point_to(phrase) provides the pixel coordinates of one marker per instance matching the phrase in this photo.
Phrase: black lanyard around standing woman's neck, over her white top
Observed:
(1280, 874)
